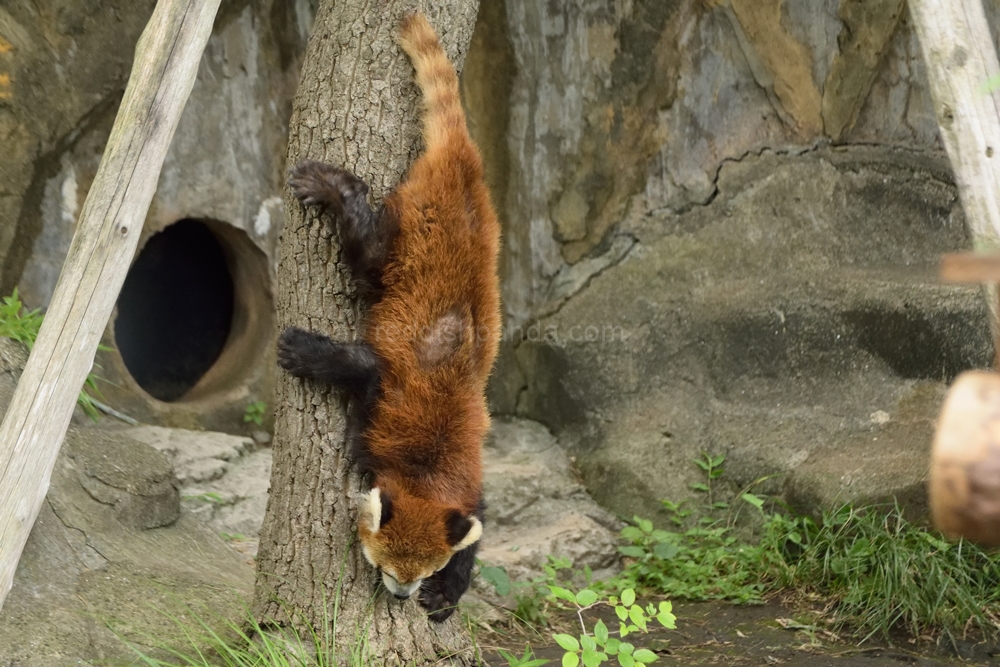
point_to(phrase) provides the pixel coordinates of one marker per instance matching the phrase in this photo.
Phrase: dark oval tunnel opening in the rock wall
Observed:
(175, 310)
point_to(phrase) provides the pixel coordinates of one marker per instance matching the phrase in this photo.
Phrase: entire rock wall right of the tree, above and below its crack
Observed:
(722, 221)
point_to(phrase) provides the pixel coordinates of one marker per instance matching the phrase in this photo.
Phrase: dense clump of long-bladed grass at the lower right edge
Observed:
(886, 572)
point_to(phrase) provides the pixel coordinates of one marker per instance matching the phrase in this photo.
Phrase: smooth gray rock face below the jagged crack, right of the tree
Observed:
(794, 324)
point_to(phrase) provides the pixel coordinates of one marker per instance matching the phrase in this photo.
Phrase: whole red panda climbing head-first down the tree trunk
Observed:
(428, 260)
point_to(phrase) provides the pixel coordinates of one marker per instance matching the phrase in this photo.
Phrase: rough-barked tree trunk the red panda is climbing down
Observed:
(357, 106)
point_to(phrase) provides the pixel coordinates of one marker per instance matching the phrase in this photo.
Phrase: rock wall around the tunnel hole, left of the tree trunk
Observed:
(63, 68)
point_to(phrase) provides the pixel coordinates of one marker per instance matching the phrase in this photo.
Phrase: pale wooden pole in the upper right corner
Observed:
(964, 78)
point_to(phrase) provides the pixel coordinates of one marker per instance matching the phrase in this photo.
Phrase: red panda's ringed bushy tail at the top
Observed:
(437, 79)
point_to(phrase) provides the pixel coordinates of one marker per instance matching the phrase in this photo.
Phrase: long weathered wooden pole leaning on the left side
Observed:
(163, 73)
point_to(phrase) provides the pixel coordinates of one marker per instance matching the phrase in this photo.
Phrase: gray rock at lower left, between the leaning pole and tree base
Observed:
(88, 572)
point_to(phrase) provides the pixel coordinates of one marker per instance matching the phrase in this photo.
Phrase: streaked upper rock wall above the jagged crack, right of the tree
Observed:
(639, 103)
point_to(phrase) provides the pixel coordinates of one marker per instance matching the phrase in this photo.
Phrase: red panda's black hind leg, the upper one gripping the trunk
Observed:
(366, 235)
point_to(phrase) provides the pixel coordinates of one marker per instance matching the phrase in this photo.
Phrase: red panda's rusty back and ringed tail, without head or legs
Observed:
(437, 325)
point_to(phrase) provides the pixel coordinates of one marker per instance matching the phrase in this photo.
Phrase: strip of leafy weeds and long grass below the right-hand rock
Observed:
(879, 571)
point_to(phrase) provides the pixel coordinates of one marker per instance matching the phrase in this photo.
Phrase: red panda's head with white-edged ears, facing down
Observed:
(410, 538)
